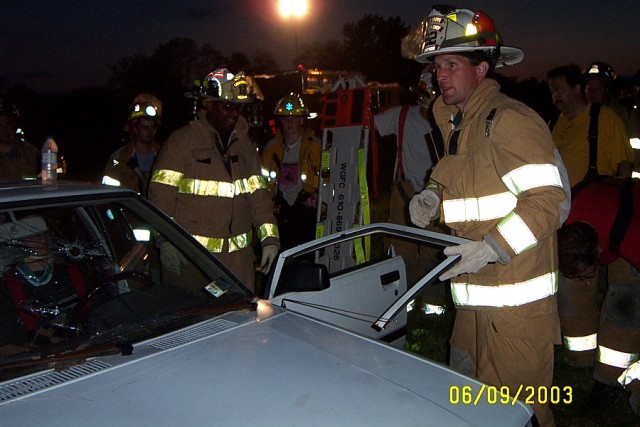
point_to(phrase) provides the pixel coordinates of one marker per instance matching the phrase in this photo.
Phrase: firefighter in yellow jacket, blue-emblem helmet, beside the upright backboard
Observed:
(291, 163)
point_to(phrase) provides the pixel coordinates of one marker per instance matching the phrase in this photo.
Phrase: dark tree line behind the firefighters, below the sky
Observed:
(88, 123)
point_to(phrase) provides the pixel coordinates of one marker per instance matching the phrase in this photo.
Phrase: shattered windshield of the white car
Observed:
(75, 272)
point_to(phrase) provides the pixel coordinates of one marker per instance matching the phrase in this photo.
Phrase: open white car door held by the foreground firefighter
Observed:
(369, 297)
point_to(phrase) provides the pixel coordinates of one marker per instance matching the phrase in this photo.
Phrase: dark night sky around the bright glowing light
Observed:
(65, 44)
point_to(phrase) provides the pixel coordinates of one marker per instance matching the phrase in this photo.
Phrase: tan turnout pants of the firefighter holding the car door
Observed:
(510, 346)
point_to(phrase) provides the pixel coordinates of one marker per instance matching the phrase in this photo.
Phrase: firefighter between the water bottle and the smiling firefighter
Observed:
(130, 165)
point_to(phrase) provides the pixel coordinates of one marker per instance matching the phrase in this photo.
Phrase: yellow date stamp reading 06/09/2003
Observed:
(466, 395)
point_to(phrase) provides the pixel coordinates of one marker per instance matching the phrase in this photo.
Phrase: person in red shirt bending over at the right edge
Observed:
(603, 228)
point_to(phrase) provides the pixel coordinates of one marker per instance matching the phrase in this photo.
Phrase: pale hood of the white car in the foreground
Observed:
(246, 370)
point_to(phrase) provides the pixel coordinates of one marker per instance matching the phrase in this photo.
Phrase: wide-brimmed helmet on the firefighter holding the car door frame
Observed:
(447, 30)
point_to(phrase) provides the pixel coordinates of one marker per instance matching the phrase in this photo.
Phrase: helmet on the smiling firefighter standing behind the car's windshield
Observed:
(222, 85)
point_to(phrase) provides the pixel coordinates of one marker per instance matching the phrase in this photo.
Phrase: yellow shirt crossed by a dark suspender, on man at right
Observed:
(571, 139)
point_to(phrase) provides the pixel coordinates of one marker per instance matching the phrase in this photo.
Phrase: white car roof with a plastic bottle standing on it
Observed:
(16, 191)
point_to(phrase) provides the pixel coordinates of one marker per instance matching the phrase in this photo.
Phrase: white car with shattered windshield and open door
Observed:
(97, 331)
